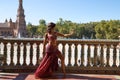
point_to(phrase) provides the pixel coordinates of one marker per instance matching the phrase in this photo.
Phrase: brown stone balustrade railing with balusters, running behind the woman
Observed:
(81, 56)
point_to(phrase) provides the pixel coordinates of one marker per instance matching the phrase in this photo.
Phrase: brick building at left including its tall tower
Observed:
(15, 29)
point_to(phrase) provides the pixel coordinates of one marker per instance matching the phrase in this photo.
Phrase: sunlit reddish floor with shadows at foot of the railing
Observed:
(58, 76)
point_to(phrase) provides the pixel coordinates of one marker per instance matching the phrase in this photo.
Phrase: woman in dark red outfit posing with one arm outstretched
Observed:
(49, 63)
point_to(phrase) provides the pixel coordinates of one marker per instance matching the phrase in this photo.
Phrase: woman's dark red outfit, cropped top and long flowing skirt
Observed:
(49, 63)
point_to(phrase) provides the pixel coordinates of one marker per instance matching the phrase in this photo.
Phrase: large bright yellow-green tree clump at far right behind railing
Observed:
(108, 29)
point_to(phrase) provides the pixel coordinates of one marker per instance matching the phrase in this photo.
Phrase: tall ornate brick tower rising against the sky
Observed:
(20, 22)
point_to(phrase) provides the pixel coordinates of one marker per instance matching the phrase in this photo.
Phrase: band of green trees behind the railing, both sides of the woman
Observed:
(93, 30)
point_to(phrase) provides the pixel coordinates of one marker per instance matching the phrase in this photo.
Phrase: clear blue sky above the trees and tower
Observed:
(80, 11)
